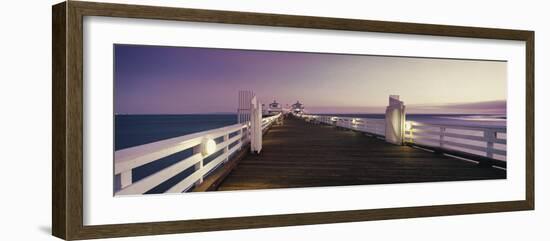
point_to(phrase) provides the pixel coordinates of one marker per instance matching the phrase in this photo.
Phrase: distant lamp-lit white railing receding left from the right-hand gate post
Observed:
(367, 125)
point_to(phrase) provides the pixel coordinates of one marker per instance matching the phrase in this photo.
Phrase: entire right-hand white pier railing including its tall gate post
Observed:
(459, 141)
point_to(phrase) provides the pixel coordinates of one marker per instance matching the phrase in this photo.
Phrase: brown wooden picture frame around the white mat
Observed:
(67, 150)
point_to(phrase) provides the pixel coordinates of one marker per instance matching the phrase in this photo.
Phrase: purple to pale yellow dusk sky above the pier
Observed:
(180, 80)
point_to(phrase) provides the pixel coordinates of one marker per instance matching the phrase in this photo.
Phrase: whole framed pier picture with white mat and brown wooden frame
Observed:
(171, 120)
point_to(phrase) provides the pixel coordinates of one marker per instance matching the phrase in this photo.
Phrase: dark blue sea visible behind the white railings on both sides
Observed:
(137, 129)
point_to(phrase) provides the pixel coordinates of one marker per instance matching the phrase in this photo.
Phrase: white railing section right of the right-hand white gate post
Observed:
(482, 141)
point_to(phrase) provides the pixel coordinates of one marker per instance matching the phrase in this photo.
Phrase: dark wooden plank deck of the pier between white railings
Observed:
(302, 154)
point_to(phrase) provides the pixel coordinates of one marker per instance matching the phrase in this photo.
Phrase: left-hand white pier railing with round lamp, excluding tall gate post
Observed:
(203, 145)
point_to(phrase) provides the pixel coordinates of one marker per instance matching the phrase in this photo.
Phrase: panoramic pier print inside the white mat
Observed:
(190, 119)
